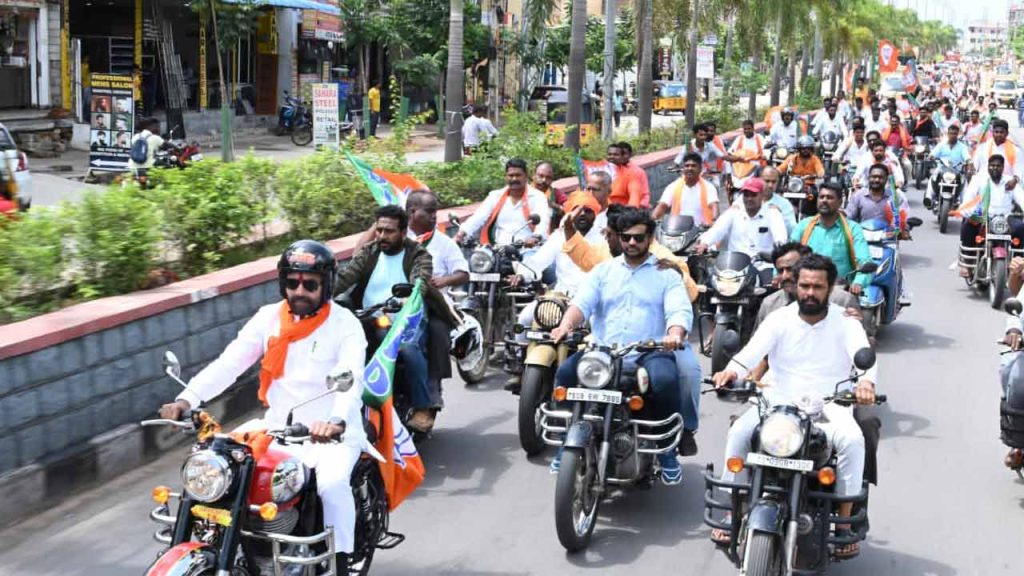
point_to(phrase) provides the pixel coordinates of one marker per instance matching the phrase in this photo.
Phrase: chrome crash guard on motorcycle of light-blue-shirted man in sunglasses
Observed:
(559, 431)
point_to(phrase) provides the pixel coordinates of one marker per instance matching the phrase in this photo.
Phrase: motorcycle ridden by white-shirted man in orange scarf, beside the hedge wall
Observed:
(493, 303)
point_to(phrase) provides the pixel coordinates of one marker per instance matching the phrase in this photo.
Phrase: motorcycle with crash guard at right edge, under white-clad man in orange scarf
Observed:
(988, 265)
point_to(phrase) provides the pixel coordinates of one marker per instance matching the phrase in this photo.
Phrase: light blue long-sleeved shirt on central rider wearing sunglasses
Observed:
(627, 305)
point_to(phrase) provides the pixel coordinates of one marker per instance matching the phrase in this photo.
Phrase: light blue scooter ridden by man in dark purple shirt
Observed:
(881, 300)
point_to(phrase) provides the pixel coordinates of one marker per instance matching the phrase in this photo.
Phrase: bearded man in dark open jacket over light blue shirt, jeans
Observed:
(396, 259)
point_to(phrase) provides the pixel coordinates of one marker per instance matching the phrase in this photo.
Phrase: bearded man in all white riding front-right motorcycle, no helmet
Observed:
(809, 349)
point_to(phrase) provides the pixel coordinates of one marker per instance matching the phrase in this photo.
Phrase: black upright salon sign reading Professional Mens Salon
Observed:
(112, 112)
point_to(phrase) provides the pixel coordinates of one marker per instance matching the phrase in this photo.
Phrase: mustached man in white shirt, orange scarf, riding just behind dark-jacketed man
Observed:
(504, 215)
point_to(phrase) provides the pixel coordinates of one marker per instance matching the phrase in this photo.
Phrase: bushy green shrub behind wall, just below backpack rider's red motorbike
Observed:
(205, 210)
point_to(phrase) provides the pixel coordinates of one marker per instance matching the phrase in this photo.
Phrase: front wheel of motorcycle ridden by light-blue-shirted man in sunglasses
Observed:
(576, 501)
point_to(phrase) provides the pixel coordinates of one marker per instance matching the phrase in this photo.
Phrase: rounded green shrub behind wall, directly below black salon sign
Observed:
(116, 238)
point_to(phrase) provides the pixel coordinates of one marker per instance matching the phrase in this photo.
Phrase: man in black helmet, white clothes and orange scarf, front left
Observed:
(305, 340)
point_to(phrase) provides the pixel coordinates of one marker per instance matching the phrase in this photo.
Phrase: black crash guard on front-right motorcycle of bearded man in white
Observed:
(736, 504)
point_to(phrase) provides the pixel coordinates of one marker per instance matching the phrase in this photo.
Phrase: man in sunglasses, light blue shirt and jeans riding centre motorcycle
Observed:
(628, 300)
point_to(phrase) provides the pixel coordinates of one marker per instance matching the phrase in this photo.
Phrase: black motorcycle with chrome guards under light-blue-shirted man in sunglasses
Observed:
(604, 440)
